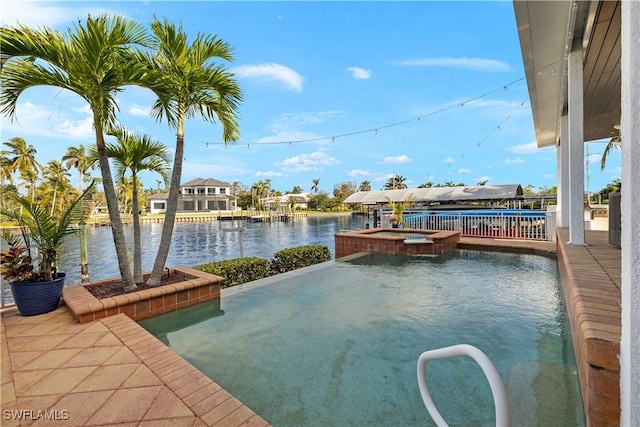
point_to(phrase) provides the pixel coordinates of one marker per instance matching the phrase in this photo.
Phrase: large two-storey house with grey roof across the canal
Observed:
(198, 195)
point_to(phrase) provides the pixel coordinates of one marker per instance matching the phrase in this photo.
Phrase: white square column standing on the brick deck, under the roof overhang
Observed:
(576, 149)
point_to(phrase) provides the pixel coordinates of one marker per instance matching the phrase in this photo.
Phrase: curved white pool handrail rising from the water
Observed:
(500, 400)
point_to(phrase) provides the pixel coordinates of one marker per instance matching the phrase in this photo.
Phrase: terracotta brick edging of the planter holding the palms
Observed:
(197, 287)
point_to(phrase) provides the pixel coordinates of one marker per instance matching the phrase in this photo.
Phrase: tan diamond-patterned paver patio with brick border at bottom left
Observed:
(98, 373)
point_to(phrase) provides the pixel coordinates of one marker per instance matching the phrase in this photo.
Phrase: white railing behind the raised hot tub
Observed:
(529, 225)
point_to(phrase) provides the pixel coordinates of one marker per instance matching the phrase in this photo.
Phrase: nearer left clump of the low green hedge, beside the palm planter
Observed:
(238, 271)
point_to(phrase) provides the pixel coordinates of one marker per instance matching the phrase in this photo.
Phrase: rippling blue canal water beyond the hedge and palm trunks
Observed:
(195, 243)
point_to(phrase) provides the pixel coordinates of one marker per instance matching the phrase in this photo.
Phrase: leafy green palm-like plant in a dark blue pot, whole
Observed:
(38, 290)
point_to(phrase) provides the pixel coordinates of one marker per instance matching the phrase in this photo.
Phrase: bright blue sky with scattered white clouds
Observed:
(333, 91)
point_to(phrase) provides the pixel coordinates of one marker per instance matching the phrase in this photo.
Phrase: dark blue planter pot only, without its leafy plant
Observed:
(38, 297)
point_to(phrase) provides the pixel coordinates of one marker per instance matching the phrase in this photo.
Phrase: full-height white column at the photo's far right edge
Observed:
(630, 207)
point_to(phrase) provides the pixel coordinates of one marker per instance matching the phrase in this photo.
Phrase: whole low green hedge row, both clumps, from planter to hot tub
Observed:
(242, 270)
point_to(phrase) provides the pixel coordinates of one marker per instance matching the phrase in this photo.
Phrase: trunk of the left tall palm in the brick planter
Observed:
(114, 212)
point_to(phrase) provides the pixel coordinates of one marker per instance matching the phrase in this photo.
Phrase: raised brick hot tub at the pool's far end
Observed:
(396, 241)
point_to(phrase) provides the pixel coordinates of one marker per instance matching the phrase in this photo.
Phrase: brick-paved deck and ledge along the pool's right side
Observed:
(593, 301)
